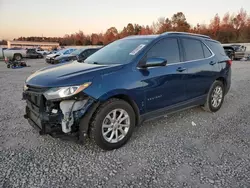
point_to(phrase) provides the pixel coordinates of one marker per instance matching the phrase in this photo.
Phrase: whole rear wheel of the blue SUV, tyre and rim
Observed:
(215, 97)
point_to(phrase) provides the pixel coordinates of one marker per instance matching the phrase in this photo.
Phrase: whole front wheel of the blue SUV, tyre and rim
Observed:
(112, 124)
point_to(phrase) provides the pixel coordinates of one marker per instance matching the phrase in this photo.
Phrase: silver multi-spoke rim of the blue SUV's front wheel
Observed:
(115, 125)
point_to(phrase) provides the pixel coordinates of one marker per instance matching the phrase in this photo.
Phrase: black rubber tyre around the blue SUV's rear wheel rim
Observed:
(208, 106)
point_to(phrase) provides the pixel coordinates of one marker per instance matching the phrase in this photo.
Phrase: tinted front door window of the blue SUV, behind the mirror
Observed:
(167, 49)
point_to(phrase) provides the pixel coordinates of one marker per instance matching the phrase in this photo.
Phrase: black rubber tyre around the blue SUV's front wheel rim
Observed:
(98, 118)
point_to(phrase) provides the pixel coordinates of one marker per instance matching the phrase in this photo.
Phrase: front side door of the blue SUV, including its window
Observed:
(165, 85)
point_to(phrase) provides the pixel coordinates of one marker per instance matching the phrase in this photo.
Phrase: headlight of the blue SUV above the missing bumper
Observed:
(61, 92)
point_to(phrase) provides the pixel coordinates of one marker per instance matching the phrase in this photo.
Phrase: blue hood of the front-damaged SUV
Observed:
(68, 74)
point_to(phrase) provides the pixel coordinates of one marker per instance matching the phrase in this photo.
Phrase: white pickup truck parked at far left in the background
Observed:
(14, 53)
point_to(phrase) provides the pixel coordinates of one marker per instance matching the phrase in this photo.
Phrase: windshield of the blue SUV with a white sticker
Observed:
(118, 52)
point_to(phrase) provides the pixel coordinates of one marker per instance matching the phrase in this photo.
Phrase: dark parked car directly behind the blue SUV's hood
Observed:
(79, 54)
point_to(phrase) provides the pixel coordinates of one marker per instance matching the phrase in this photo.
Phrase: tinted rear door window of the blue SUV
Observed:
(193, 49)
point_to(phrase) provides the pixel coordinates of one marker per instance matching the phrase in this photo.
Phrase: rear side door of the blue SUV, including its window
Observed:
(202, 67)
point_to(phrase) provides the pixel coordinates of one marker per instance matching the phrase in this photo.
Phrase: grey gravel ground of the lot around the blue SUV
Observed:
(167, 152)
